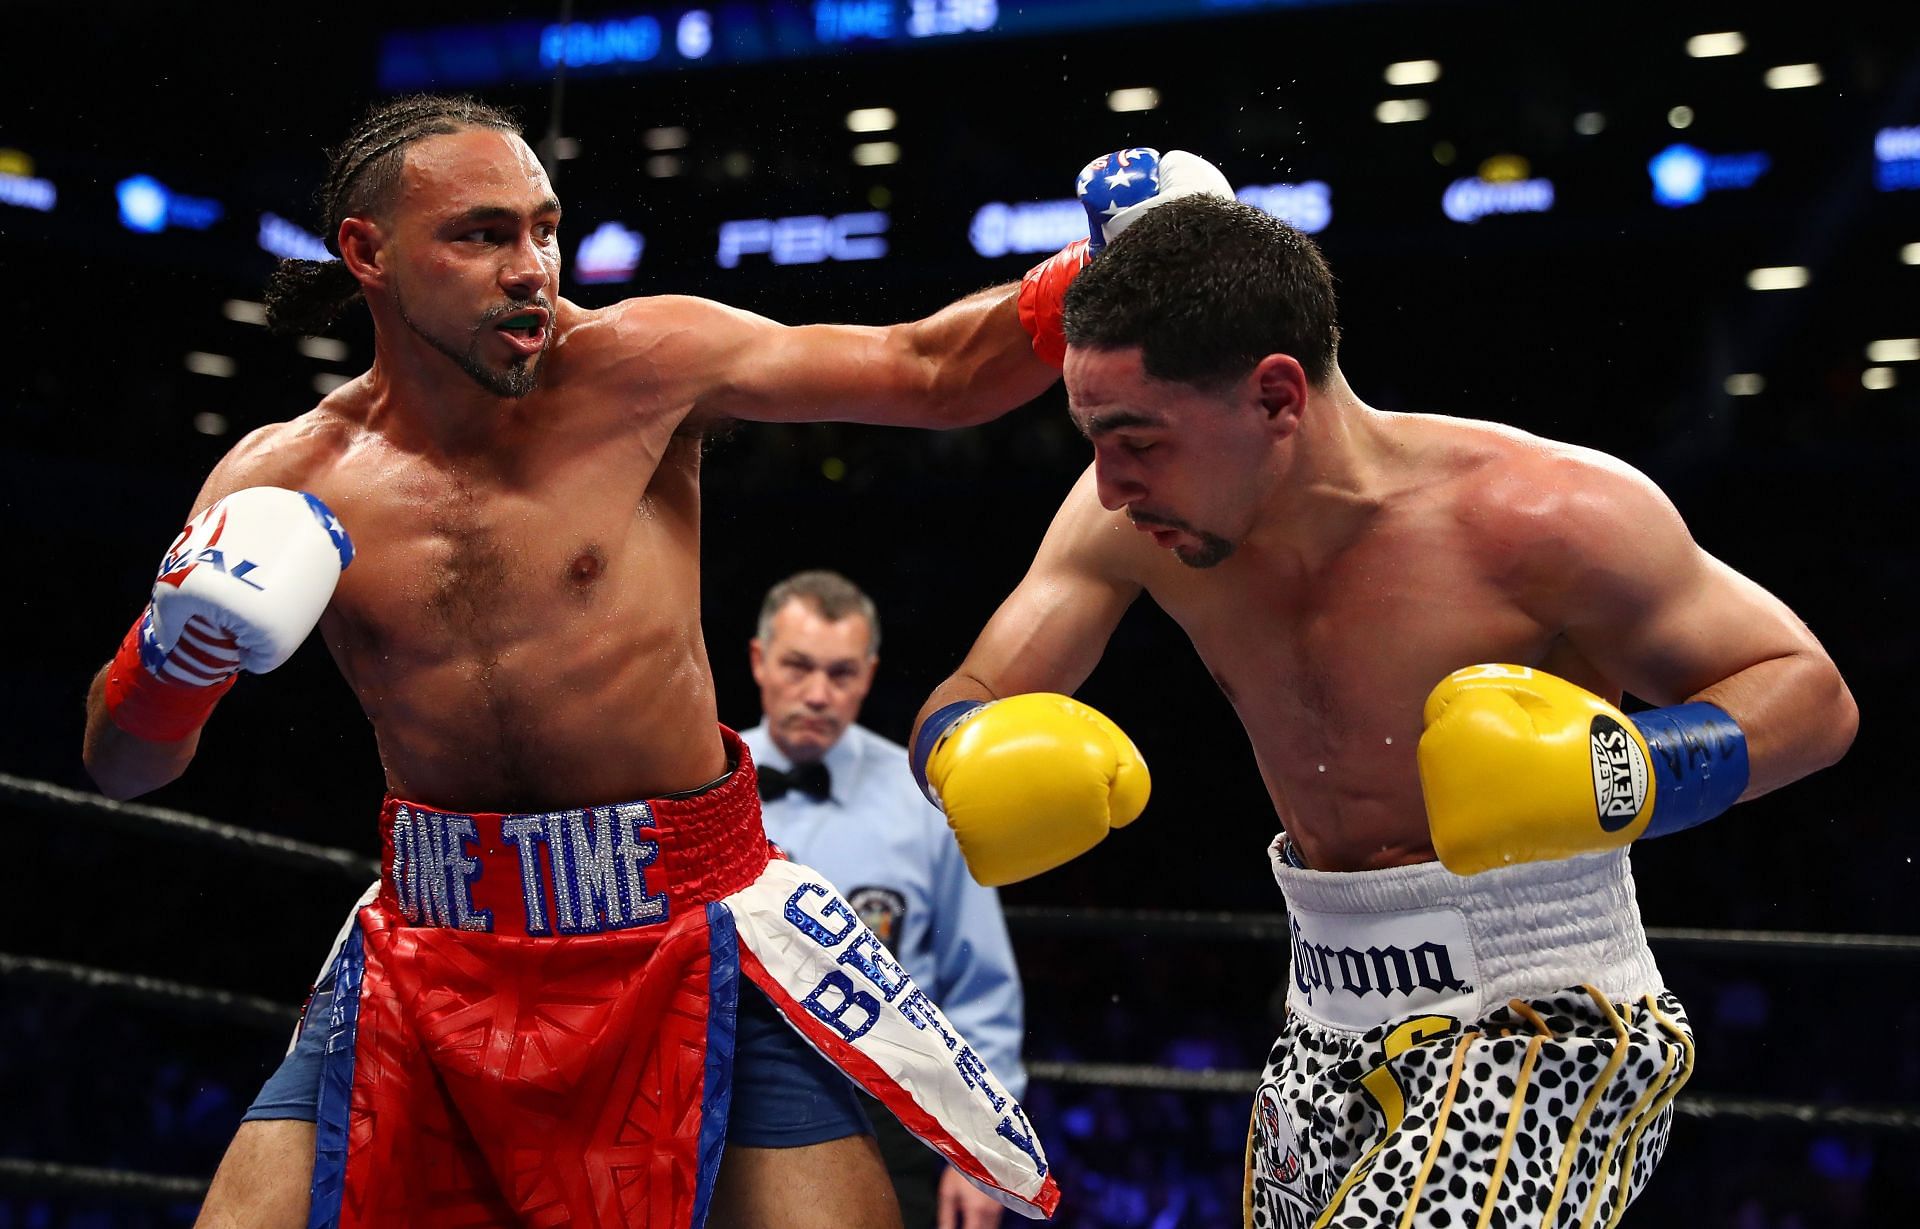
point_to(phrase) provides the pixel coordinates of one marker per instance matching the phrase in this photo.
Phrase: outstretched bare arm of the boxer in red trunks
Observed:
(963, 366)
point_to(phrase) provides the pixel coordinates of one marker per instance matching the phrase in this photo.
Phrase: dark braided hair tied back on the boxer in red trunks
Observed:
(306, 297)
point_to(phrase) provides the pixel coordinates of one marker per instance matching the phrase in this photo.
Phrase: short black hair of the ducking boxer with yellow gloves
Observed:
(1209, 287)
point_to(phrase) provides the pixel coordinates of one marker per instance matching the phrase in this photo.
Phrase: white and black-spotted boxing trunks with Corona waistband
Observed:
(1489, 1053)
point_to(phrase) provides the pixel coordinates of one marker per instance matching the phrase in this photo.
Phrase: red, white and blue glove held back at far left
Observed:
(239, 590)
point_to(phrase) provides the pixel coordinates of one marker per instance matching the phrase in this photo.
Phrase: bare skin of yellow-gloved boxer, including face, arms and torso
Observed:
(1372, 554)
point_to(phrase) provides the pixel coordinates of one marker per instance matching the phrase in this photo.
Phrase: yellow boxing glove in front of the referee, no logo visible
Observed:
(1028, 783)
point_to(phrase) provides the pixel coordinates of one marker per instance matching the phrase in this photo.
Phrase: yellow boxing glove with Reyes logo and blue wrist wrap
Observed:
(1524, 767)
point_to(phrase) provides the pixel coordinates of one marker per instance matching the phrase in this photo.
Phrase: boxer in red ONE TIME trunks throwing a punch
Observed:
(531, 1019)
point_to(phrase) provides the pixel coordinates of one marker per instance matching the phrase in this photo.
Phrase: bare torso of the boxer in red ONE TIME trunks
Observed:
(521, 623)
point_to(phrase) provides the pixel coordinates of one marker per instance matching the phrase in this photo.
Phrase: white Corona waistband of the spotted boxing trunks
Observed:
(1381, 946)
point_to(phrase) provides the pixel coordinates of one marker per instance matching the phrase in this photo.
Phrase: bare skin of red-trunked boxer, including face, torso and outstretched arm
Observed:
(523, 619)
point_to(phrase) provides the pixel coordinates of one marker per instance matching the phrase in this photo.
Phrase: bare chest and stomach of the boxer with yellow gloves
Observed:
(1330, 662)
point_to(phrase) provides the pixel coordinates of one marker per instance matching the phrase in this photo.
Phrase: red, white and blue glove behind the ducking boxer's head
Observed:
(1116, 189)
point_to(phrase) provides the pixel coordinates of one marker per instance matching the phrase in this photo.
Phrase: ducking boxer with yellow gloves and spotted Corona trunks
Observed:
(1426, 625)
